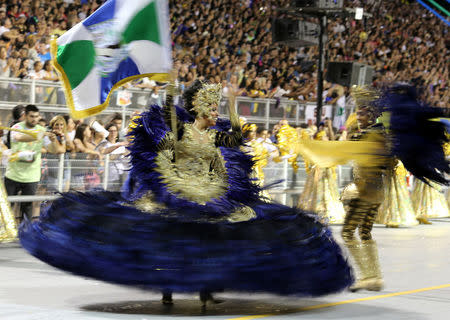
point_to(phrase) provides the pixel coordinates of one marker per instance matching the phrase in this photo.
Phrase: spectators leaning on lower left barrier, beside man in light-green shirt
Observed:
(88, 148)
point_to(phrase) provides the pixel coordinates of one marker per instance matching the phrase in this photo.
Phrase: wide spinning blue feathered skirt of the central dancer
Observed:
(99, 235)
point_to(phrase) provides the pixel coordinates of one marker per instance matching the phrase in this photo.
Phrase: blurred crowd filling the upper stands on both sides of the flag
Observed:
(230, 41)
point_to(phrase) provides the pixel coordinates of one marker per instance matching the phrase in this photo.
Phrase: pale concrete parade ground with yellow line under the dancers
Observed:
(415, 262)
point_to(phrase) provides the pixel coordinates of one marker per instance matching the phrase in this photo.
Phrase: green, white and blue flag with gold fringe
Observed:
(121, 41)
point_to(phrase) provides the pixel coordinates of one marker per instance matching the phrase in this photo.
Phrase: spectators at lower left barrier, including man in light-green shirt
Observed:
(92, 155)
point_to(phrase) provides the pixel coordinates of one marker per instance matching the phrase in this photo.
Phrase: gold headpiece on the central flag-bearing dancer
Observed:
(208, 95)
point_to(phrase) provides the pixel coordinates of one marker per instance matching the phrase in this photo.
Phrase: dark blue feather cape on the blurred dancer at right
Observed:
(416, 137)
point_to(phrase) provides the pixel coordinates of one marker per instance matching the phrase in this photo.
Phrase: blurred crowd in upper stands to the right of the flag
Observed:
(231, 41)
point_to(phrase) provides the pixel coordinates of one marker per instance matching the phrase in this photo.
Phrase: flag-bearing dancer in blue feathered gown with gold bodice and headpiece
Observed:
(190, 218)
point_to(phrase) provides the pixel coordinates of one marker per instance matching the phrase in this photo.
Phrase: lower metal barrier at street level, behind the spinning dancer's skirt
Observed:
(79, 172)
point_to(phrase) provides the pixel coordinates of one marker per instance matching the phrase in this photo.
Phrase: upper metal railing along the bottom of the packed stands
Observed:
(49, 96)
